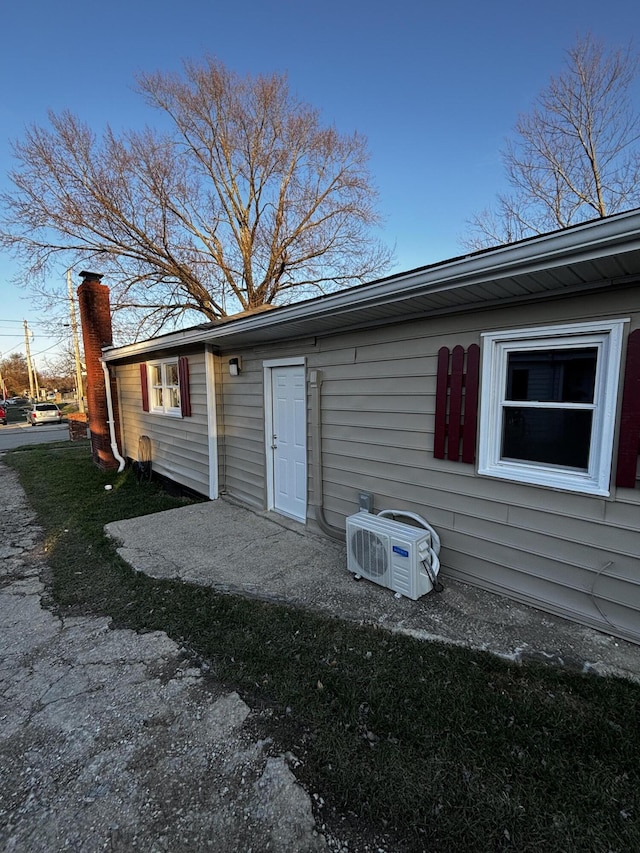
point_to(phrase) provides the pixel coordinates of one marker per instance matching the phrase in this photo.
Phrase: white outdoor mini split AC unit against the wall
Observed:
(398, 556)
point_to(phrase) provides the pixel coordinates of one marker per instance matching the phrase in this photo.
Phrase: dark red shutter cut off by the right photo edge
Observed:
(629, 439)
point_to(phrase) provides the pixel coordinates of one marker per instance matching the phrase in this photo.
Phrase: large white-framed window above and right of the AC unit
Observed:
(549, 404)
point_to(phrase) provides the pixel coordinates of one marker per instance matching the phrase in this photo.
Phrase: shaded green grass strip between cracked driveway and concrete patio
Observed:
(441, 748)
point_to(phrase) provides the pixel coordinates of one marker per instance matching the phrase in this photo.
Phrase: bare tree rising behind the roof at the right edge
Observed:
(576, 155)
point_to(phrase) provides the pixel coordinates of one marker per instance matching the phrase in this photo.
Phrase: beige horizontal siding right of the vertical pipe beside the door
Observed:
(571, 554)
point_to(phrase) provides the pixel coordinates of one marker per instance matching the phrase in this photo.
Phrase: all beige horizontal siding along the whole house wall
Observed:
(570, 554)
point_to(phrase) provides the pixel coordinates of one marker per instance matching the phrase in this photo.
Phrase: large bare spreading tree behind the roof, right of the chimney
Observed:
(247, 200)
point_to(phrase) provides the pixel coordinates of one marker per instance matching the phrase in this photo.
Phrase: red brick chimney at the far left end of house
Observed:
(95, 318)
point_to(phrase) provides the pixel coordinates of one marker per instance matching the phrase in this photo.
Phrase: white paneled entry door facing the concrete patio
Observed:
(287, 441)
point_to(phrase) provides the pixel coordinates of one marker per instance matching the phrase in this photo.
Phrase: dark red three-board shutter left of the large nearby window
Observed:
(457, 404)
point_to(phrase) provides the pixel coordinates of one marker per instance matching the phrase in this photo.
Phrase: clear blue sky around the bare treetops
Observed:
(435, 88)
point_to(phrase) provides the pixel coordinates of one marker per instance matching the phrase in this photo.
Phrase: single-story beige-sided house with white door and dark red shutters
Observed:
(496, 394)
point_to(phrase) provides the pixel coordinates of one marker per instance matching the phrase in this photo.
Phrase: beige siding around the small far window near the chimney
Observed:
(179, 445)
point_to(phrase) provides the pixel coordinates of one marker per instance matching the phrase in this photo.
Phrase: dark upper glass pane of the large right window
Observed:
(560, 376)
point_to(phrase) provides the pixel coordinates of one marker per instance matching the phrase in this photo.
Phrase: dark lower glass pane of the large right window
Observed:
(551, 436)
